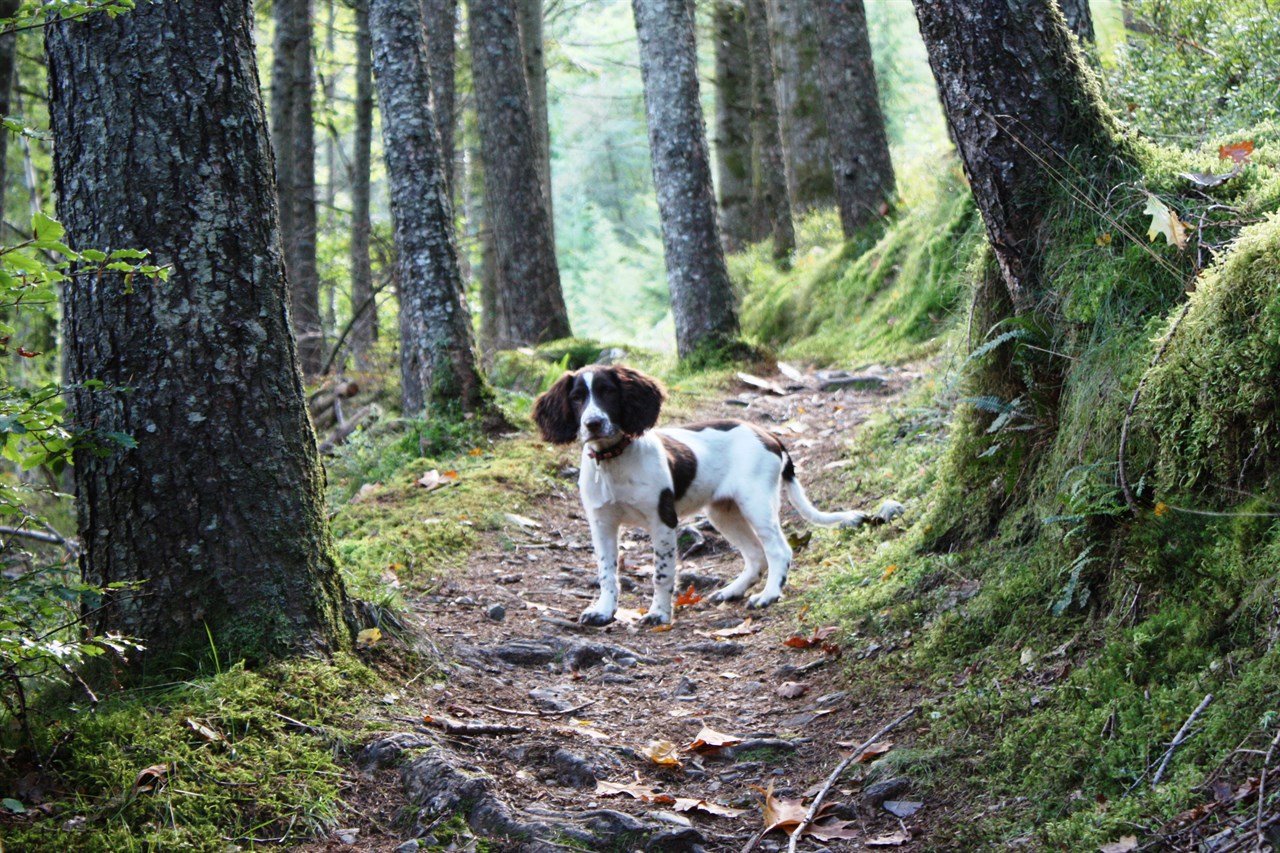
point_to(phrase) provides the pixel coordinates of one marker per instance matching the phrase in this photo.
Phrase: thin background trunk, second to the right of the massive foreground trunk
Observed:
(364, 330)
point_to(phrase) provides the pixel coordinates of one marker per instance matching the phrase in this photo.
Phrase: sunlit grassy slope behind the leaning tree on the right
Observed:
(886, 295)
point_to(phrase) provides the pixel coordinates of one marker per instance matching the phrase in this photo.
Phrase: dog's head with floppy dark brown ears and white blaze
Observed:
(598, 404)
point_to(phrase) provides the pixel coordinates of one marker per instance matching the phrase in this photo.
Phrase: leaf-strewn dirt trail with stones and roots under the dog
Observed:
(538, 711)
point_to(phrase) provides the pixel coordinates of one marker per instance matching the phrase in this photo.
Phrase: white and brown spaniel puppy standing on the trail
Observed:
(638, 476)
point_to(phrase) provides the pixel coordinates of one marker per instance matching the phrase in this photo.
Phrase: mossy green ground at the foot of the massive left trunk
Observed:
(234, 760)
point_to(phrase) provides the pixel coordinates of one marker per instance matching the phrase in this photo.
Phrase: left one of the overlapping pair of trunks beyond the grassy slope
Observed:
(733, 124)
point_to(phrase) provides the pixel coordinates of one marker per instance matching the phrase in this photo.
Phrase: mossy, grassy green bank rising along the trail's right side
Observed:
(1058, 618)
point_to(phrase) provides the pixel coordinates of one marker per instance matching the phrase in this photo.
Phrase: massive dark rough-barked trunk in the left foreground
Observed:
(162, 144)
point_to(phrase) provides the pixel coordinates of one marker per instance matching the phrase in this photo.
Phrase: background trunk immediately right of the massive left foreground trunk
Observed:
(294, 142)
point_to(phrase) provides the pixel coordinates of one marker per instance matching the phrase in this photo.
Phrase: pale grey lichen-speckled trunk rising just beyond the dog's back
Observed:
(702, 298)
